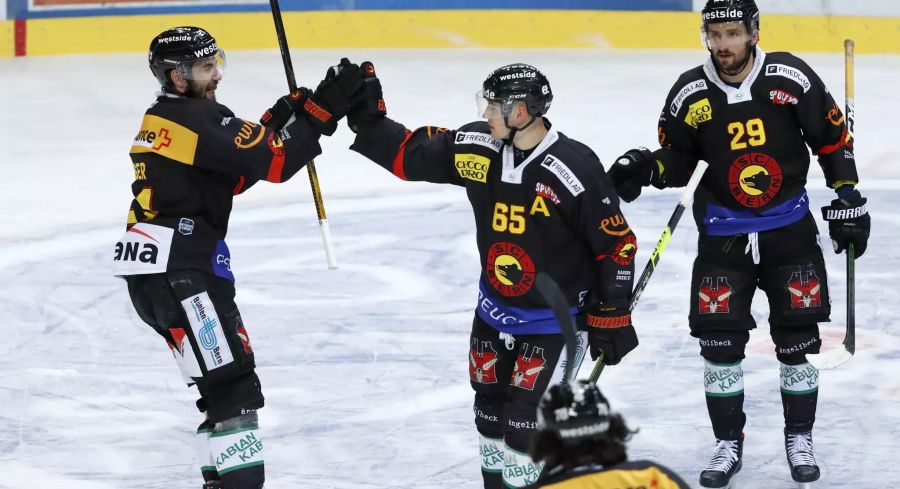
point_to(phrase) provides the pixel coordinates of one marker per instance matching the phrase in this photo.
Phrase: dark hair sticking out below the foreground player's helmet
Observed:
(547, 447)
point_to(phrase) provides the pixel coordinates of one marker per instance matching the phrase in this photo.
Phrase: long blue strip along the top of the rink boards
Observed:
(18, 9)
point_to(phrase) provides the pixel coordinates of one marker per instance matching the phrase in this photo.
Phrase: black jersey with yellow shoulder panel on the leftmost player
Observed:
(191, 157)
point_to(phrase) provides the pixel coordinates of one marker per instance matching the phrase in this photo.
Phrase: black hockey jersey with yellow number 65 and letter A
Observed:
(554, 212)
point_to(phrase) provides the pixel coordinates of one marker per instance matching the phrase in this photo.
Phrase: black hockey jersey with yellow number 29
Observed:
(754, 137)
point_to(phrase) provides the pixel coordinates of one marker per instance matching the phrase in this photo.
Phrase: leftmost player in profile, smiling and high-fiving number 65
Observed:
(191, 156)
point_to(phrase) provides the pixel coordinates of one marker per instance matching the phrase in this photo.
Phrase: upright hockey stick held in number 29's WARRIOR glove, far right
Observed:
(840, 356)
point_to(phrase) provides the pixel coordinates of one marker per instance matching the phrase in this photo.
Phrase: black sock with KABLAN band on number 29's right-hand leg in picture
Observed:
(799, 395)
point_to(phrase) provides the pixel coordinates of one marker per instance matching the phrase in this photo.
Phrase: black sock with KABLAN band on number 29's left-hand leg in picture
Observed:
(724, 384)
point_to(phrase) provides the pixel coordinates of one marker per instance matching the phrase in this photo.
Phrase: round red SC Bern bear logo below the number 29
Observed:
(754, 179)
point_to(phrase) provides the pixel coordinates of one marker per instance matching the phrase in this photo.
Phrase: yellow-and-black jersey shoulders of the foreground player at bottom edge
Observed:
(627, 475)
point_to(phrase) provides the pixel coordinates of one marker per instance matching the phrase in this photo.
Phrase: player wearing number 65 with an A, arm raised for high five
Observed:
(542, 202)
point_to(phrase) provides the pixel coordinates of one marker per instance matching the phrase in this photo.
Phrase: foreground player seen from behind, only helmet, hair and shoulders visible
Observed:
(582, 444)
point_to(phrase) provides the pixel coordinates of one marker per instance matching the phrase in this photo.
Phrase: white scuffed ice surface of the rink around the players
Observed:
(364, 368)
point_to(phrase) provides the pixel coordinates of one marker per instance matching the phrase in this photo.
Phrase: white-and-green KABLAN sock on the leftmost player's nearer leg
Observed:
(236, 447)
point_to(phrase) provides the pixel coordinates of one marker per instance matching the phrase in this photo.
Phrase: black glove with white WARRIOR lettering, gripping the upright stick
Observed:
(848, 222)
